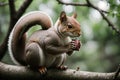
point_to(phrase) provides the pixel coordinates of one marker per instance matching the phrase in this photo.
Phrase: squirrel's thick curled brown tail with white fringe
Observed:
(17, 38)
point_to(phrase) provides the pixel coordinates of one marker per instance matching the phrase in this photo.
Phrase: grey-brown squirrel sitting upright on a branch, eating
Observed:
(47, 47)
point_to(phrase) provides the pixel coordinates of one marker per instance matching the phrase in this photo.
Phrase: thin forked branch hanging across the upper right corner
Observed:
(89, 4)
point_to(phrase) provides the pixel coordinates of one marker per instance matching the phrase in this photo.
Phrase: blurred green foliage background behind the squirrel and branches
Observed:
(100, 49)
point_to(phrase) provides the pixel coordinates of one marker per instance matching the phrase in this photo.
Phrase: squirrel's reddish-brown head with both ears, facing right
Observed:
(68, 25)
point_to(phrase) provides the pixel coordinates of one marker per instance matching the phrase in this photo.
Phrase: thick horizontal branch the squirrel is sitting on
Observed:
(22, 73)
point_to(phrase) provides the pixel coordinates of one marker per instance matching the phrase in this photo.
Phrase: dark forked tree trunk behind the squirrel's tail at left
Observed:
(14, 16)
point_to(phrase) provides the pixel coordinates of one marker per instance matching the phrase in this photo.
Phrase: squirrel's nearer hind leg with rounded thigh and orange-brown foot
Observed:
(35, 57)
